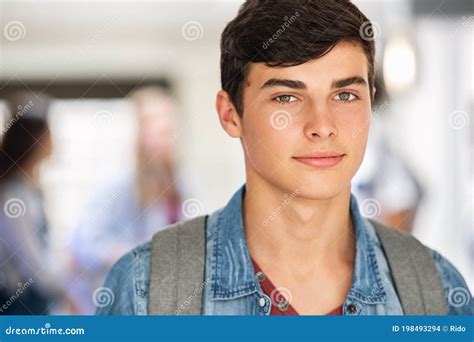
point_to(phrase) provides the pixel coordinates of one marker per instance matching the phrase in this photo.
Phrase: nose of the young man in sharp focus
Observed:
(320, 125)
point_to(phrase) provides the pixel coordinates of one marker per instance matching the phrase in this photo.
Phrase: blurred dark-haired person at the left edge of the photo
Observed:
(29, 285)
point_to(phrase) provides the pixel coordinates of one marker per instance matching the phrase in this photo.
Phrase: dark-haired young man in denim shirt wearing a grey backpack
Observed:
(297, 87)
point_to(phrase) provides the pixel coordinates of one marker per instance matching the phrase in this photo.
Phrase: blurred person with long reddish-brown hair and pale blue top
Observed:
(133, 206)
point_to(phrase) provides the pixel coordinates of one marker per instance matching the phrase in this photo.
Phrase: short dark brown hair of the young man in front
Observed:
(288, 33)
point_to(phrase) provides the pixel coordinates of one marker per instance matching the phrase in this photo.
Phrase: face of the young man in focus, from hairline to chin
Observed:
(305, 127)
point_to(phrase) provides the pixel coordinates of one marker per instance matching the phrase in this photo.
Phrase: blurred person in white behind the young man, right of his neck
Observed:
(385, 185)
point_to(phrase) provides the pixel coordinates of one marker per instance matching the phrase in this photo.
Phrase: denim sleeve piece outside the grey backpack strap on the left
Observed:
(125, 291)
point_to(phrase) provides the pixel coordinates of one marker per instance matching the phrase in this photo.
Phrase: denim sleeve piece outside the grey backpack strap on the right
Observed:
(457, 293)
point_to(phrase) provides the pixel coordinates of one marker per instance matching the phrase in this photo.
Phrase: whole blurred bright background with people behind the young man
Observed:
(109, 132)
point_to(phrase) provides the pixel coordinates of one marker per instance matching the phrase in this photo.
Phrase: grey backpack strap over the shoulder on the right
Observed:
(414, 272)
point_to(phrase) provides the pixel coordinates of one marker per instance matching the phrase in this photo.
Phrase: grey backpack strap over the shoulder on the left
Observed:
(177, 269)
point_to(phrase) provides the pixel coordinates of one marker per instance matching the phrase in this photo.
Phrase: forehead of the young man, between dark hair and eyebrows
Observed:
(345, 59)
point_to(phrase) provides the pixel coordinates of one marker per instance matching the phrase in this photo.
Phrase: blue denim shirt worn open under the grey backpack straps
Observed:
(231, 287)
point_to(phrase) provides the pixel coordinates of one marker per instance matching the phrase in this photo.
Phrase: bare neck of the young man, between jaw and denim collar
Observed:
(287, 229)
